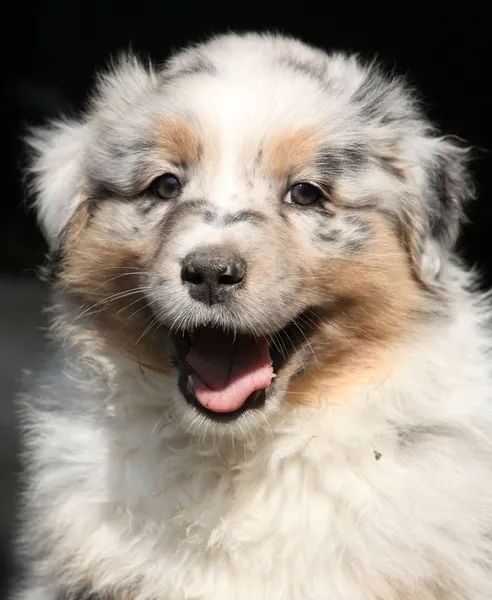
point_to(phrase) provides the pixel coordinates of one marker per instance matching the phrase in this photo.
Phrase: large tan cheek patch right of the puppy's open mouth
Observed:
(375, 307)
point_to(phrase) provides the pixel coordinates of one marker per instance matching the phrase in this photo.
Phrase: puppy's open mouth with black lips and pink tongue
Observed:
(225, 373)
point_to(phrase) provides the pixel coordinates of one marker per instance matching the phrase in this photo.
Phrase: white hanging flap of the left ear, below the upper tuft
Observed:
(55, 174)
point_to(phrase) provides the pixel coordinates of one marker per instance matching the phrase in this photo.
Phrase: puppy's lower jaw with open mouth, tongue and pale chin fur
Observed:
(226, 376)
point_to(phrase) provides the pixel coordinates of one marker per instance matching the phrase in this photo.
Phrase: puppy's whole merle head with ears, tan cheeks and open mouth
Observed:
(258, 220)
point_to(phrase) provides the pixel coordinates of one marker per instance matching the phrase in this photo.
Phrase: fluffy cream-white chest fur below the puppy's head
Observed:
(358, 499)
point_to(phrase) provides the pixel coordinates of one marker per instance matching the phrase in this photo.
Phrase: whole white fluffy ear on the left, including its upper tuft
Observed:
(61, 151)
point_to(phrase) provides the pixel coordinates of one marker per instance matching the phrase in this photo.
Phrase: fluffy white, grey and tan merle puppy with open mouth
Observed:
(271, 375)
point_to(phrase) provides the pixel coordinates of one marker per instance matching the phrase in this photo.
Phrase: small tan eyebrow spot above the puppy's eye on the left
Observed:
(178, 141)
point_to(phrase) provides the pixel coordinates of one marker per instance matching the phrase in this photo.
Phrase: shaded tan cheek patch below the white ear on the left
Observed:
(103, 273)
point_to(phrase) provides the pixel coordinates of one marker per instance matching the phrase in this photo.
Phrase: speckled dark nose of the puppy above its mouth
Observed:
(211, 274)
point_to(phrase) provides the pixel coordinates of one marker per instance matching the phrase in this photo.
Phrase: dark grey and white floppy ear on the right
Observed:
(444, 186)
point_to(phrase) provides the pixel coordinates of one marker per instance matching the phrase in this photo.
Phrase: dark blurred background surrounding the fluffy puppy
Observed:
(52, 48)
